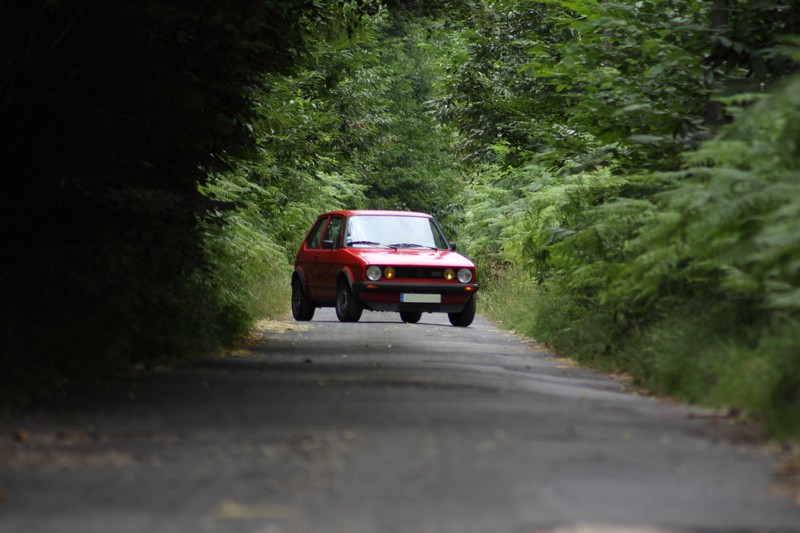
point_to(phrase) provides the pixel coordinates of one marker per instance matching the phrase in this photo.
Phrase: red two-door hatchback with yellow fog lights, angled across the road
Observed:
(384, 261)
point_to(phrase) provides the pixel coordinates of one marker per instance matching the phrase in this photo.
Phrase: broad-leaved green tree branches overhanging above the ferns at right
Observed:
(623, 84)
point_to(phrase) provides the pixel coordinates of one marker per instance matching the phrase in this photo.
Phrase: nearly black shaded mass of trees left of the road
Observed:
(111, 113)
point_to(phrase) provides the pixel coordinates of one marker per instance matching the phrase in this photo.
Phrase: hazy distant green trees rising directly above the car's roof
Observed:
(402, 156)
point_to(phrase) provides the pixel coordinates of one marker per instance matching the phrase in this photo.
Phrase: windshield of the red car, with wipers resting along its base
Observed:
(394, 232)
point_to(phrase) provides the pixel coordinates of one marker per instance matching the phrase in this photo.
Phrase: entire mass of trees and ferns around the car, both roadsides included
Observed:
(626, 174)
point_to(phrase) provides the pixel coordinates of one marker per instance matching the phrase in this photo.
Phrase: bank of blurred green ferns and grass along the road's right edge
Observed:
(693, 288)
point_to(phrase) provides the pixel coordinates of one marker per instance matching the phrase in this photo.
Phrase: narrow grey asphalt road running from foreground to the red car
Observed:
(381, 427)
